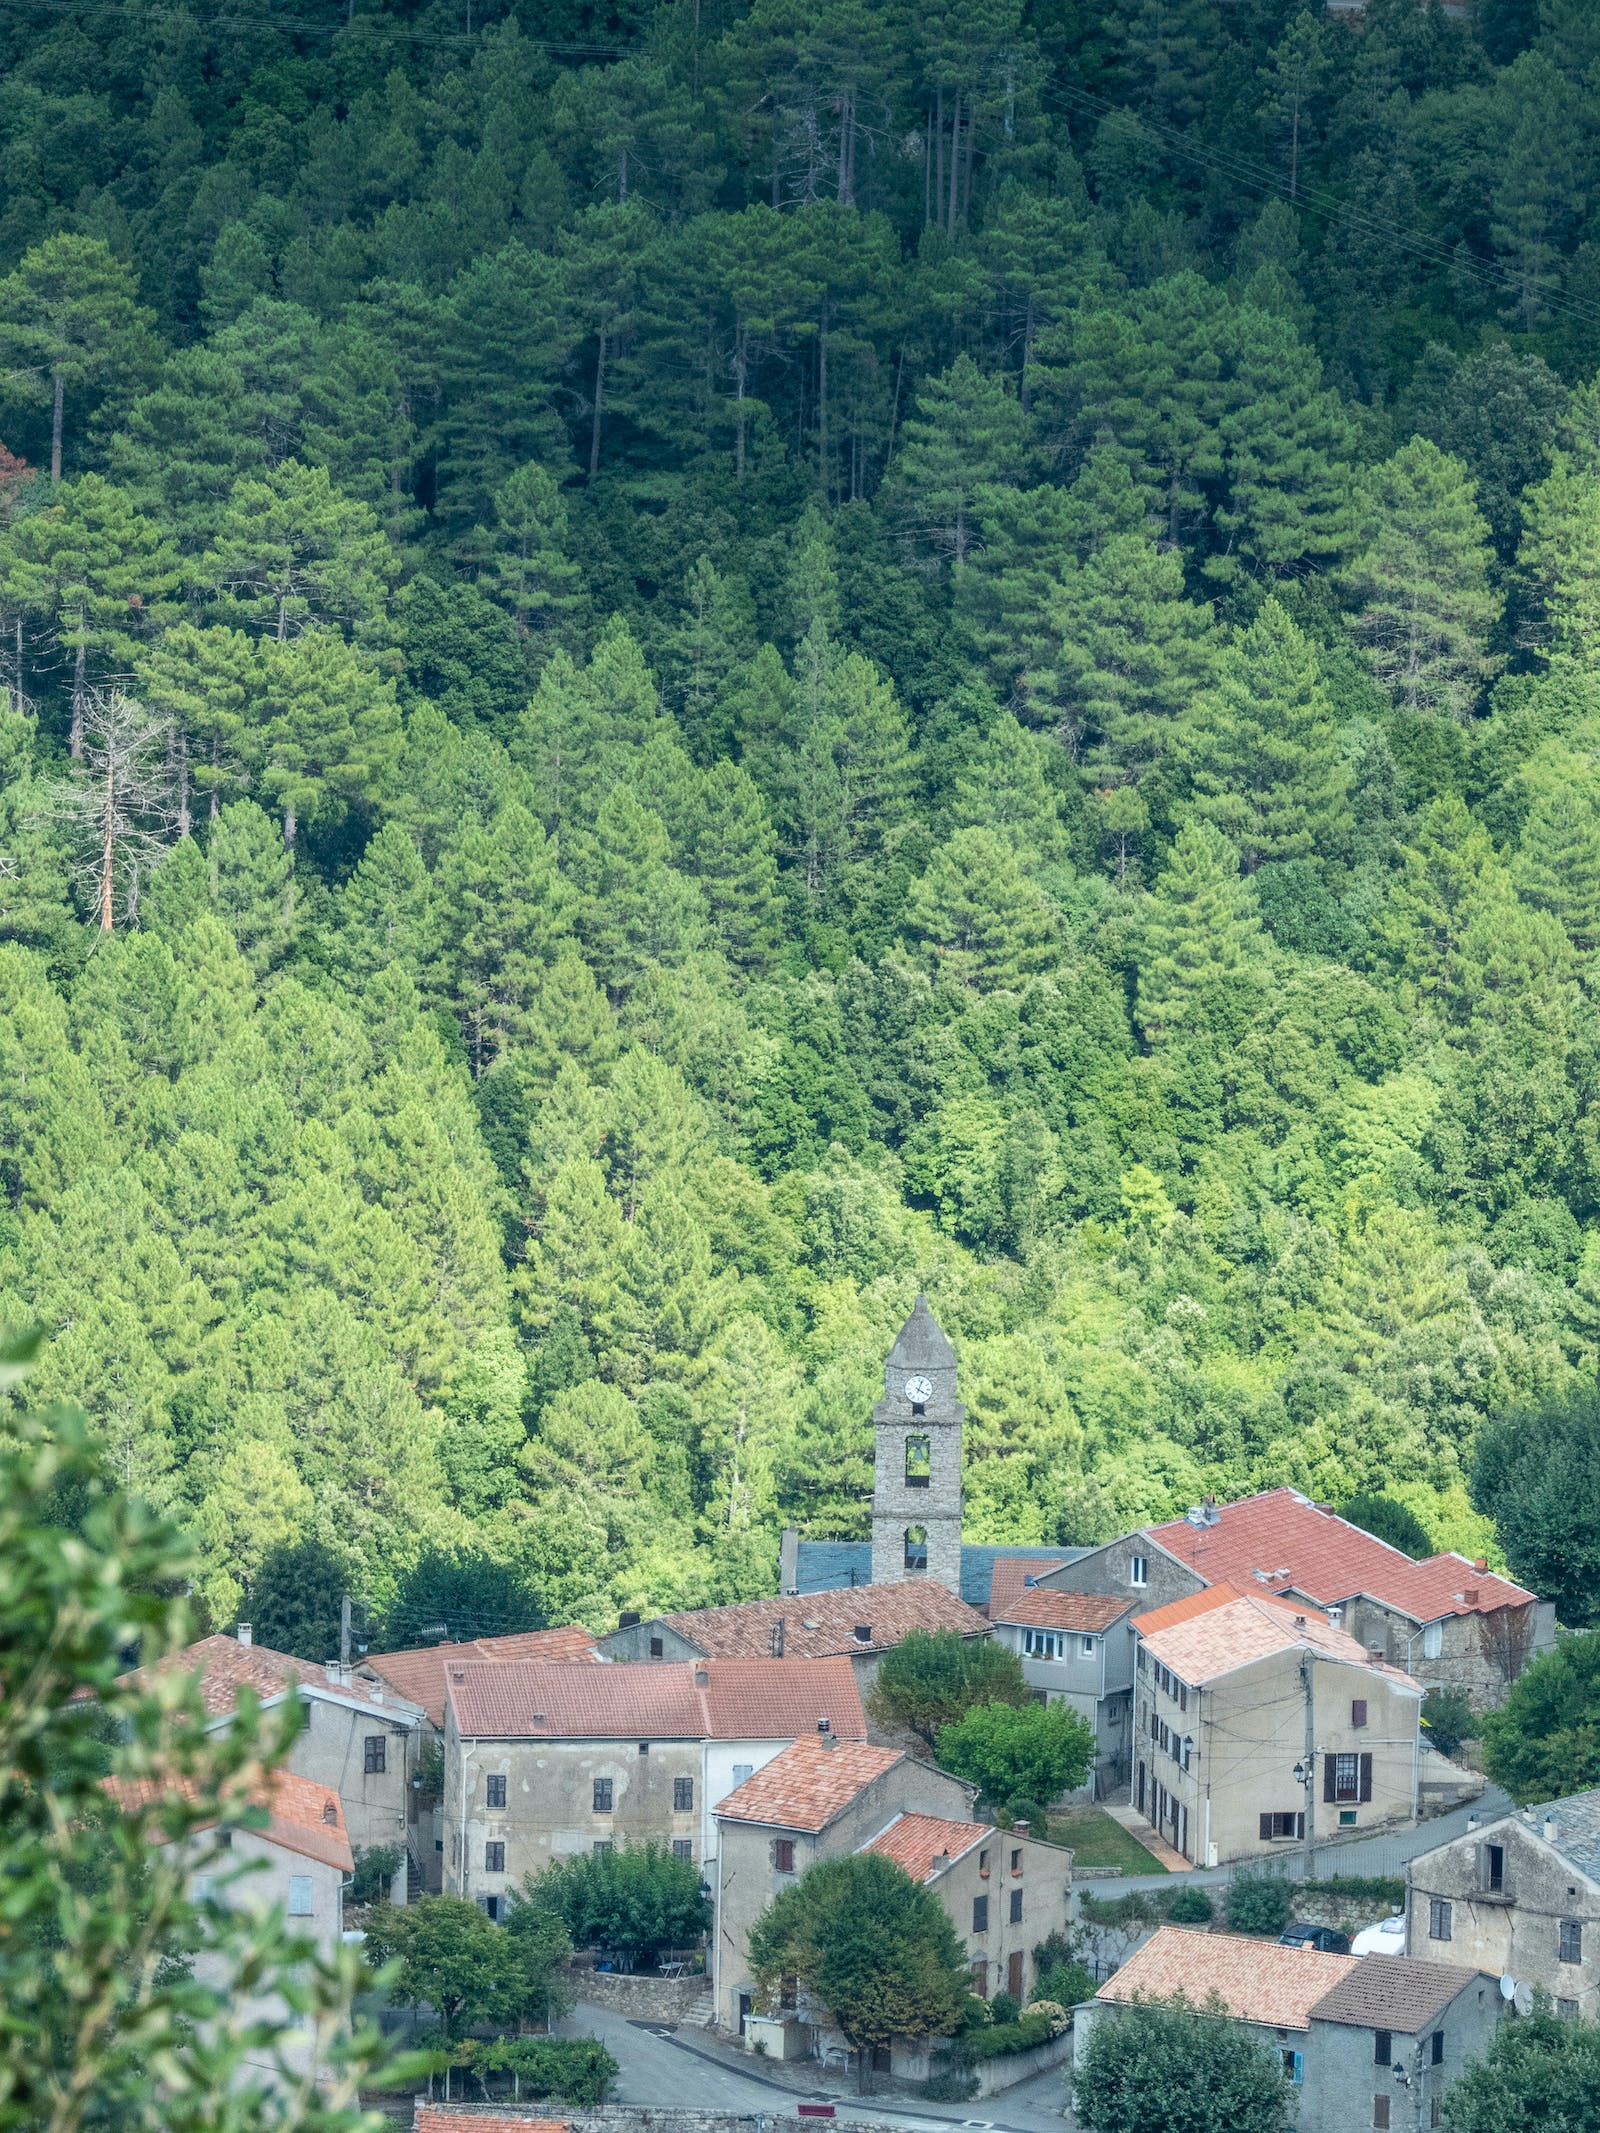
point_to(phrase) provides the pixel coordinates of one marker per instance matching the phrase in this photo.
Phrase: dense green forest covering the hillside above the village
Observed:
(675, 669)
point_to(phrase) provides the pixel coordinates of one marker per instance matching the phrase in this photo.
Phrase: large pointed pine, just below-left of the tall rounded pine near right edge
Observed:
(1266, 752)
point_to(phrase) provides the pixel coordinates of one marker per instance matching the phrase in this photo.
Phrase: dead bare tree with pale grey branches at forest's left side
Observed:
(118, 803)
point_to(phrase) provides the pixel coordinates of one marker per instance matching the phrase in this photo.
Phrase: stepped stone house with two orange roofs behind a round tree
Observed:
(1004, 1891)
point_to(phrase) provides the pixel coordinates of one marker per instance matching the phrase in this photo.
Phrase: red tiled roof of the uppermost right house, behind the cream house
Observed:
(1283, 1541)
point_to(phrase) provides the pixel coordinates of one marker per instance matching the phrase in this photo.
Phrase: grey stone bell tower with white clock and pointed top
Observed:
(918, 1473)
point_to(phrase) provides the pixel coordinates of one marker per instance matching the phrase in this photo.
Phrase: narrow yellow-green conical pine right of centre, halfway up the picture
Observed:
(1200, 940)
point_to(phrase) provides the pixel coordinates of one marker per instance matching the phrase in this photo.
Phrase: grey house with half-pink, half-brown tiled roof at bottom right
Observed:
(1366, 2040)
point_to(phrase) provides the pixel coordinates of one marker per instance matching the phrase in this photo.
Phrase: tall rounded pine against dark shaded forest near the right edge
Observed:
(1422, 577)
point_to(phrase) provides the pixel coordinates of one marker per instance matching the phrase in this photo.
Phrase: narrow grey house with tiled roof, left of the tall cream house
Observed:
(1076, 1650)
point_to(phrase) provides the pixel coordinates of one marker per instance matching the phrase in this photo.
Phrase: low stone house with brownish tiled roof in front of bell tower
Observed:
(857, 1626)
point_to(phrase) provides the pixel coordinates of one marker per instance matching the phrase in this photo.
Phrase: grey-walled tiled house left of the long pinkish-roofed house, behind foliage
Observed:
(359, 1737)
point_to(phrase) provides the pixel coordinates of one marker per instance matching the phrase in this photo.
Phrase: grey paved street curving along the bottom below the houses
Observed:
(669, 2068)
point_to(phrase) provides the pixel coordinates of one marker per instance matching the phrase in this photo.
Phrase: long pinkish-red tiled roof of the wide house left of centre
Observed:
(692, 1701)
